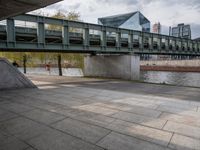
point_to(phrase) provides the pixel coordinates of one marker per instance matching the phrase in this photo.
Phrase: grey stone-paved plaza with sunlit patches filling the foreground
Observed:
(99, 114)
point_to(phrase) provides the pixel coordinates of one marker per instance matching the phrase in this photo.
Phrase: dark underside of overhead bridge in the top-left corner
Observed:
(10, 8)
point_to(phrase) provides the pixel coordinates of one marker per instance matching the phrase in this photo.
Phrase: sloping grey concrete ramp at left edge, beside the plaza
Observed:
(11, 77)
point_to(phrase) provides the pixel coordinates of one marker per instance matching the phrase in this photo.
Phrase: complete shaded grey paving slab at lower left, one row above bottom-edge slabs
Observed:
(43, 116)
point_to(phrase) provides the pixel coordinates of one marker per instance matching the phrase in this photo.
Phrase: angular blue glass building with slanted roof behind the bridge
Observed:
(132, 21)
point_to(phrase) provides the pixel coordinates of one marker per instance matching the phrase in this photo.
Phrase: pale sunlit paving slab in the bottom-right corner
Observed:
(180, 142)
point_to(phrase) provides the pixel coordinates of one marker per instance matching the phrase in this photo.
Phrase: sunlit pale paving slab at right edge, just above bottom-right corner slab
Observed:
(183, 129)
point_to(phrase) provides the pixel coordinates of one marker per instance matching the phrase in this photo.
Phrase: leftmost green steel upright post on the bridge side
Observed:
(10, 32)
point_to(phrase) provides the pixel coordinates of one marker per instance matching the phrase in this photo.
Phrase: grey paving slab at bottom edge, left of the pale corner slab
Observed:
(116, 141)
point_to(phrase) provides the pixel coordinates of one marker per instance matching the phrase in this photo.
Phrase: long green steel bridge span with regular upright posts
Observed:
(57, 35)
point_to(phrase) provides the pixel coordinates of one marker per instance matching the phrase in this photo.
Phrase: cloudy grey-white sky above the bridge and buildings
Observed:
(167, 12)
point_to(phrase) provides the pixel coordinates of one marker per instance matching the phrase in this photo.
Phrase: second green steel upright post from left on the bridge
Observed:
(41, 32)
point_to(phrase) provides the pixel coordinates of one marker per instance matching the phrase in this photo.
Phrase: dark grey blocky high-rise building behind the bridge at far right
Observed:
(182, 30)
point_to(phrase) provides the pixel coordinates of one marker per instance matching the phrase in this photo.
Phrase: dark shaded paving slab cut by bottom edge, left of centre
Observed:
(55, 140)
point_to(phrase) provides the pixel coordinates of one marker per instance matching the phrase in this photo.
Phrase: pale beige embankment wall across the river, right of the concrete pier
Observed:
(181, 63)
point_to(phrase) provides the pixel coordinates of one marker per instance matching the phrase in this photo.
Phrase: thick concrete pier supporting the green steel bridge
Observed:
(113, 66)
